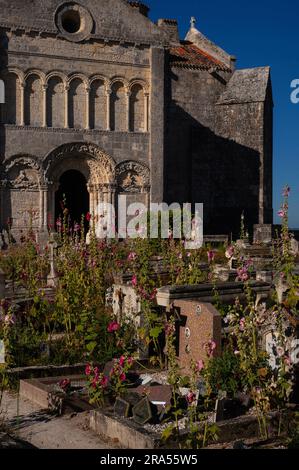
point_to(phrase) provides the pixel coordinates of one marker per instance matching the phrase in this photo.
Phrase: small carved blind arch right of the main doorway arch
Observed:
(132, 177)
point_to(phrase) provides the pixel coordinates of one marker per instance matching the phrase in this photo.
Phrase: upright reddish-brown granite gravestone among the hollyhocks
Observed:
(199, 324)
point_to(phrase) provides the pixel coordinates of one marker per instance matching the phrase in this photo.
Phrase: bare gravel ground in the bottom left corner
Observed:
(28, 422)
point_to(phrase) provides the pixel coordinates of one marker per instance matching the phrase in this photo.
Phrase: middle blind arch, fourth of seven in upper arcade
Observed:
(77, 104)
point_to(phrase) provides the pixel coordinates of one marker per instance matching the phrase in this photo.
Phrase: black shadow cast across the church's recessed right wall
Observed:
(201, 167)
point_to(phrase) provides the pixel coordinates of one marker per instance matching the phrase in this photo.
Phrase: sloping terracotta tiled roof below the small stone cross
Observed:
(187, 55)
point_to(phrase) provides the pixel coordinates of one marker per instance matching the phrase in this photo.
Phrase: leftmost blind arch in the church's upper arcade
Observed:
(11, 108)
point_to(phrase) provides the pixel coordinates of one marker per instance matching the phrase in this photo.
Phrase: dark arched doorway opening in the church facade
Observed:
(73, 195)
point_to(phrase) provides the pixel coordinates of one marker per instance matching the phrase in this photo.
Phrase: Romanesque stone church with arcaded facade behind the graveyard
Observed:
(101, 101)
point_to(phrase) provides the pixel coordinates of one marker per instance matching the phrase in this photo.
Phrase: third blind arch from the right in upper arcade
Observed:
(97, 105)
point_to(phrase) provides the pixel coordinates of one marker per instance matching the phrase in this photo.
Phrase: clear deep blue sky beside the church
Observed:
(258, 33)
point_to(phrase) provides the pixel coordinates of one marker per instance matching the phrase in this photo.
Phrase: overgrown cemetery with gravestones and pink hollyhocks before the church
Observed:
(159, 346)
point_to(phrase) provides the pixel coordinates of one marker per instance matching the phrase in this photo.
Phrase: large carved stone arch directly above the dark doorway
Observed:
(97, 166)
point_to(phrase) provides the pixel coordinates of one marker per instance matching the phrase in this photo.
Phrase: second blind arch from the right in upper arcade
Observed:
(118, 112)
